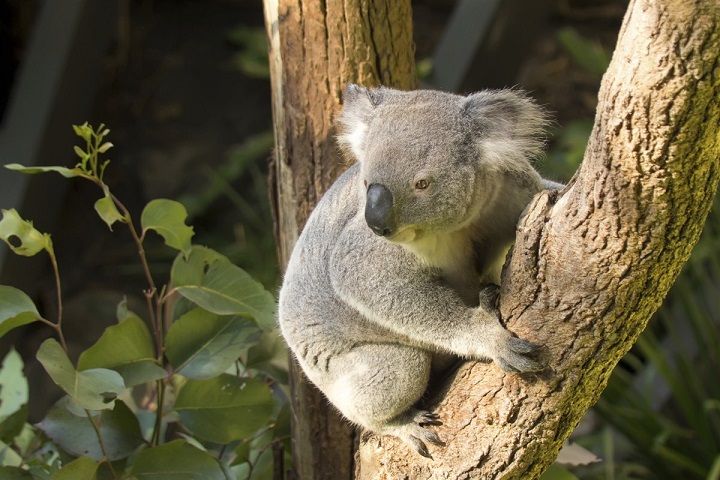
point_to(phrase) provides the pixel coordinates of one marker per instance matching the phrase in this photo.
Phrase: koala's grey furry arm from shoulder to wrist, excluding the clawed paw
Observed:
(412, 303)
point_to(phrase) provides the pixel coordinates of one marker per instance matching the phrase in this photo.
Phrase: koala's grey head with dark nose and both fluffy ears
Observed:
(430, 160)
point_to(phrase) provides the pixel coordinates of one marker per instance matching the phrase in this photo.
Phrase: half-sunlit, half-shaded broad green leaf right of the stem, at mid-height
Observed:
(201, 344)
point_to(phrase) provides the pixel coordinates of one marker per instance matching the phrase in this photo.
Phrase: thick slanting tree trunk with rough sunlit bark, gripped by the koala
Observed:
(592, 264)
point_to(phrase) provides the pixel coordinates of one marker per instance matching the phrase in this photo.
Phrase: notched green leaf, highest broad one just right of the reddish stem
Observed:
(167, 218)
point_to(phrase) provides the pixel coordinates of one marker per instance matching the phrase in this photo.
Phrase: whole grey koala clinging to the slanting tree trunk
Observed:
(397, 265)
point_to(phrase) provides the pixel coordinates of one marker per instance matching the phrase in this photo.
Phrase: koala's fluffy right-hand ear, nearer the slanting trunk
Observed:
(508, 122)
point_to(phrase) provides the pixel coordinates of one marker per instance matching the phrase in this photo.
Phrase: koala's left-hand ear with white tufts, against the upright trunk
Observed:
(358, 109)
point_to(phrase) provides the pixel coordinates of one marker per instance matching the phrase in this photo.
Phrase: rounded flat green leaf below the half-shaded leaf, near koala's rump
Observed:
(224, 408)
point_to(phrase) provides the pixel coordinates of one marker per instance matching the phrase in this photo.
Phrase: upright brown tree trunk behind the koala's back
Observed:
(316, 48)
